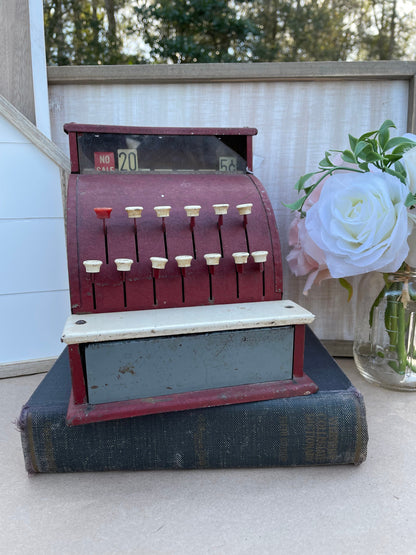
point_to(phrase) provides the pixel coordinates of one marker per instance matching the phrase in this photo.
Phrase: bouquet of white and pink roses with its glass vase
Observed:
(355, 217)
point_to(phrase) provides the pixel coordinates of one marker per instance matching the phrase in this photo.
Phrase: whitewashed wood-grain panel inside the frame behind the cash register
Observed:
(296, 121)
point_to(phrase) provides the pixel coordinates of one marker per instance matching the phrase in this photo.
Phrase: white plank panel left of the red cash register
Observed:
(34, 298)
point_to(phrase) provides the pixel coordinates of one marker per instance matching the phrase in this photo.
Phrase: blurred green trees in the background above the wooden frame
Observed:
(96, 31)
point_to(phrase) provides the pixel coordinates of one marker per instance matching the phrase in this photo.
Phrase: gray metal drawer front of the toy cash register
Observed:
(151, 367)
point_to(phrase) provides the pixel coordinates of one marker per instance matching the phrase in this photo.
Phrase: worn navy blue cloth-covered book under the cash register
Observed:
(328, 427)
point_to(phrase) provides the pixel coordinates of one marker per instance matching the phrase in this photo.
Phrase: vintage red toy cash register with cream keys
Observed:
(175, 275)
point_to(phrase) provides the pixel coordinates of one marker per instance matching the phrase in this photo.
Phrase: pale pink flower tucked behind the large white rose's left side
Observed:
(306, 257)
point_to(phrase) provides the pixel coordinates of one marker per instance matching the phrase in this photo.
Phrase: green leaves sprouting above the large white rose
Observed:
(374, 147)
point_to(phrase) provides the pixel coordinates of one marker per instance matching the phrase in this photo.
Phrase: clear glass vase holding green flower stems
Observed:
(385, 333)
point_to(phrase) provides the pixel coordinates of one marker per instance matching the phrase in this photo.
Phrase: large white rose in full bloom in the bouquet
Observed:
(360, 222)
